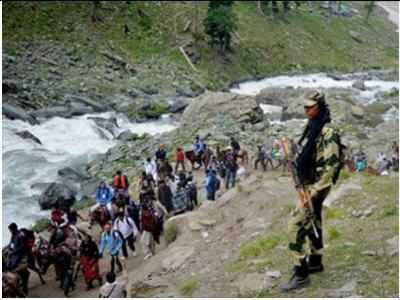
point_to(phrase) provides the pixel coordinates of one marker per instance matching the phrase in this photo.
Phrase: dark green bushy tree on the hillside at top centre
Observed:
(220, 23)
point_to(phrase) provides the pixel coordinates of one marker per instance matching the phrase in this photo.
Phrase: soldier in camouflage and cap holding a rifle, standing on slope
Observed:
(315, 170)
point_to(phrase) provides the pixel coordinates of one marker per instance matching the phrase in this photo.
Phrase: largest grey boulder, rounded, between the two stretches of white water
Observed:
(209, 107)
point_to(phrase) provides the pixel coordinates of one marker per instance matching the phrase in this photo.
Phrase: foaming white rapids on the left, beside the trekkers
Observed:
(65, 142)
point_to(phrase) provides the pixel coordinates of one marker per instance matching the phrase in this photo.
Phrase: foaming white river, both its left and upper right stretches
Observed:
(72, 142)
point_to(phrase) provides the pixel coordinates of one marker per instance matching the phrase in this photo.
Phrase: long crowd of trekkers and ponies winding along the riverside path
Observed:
(163, 191)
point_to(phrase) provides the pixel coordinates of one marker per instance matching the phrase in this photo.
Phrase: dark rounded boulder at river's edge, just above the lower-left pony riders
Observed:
(55, 192)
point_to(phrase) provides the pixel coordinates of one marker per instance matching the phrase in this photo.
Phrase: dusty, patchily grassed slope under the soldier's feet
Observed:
(237, 245)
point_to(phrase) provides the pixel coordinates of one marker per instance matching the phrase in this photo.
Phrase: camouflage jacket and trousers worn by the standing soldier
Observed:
(300, 226)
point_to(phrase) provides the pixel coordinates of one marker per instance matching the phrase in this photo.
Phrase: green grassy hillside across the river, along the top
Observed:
(262, 46)
